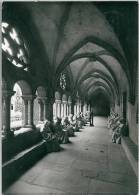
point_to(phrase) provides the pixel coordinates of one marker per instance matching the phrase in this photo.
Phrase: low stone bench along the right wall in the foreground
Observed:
(131, 151)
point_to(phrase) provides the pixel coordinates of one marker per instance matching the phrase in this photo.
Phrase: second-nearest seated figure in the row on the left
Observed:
(62, 134)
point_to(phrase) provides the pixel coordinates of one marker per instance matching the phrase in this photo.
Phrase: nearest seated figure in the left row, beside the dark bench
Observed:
(50, 137)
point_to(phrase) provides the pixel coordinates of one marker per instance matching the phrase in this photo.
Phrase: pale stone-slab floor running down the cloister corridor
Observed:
(90, 164)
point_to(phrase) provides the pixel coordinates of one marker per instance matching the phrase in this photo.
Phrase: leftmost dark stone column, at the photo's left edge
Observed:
(6, 97)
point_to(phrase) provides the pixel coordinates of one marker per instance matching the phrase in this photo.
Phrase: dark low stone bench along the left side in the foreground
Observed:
(14, 167)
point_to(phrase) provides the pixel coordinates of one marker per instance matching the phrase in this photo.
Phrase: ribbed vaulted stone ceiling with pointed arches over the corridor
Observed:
(77, 36)
